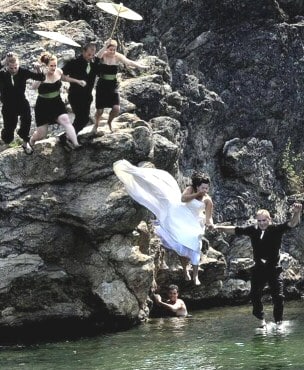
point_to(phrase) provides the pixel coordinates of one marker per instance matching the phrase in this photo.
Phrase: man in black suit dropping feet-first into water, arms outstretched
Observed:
(266, 241)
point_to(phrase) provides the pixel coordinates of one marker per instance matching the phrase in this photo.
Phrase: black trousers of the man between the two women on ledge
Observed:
(80, 104)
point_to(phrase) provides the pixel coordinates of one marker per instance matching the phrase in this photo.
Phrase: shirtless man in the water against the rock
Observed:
(174, 305)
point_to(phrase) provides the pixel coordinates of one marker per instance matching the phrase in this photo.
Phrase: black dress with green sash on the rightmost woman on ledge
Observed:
(107, 94)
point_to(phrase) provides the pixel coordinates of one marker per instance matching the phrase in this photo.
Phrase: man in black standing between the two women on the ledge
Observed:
(80, 97)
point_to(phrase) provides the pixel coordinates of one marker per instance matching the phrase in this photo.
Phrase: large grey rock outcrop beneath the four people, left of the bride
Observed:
(67, 248)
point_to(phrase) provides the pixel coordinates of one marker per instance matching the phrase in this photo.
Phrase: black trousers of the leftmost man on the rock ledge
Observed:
(10, 115)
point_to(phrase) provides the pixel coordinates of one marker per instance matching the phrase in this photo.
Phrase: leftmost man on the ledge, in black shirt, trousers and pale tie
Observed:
(14, 103)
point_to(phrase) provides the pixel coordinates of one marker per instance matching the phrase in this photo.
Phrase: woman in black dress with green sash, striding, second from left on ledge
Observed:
(49, 108)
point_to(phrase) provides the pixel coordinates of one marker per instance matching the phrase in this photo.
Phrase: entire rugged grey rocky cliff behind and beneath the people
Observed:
(223, 94)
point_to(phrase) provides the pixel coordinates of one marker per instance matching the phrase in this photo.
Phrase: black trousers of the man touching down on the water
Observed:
(273, 277)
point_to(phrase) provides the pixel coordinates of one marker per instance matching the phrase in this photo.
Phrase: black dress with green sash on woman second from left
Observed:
(49, 108)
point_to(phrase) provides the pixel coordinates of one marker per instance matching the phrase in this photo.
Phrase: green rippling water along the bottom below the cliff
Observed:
(222, 338)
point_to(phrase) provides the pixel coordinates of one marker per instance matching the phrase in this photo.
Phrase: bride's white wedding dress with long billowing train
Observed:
(179, 225)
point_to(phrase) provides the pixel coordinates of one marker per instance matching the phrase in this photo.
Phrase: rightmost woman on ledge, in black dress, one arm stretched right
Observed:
(107, 95)
